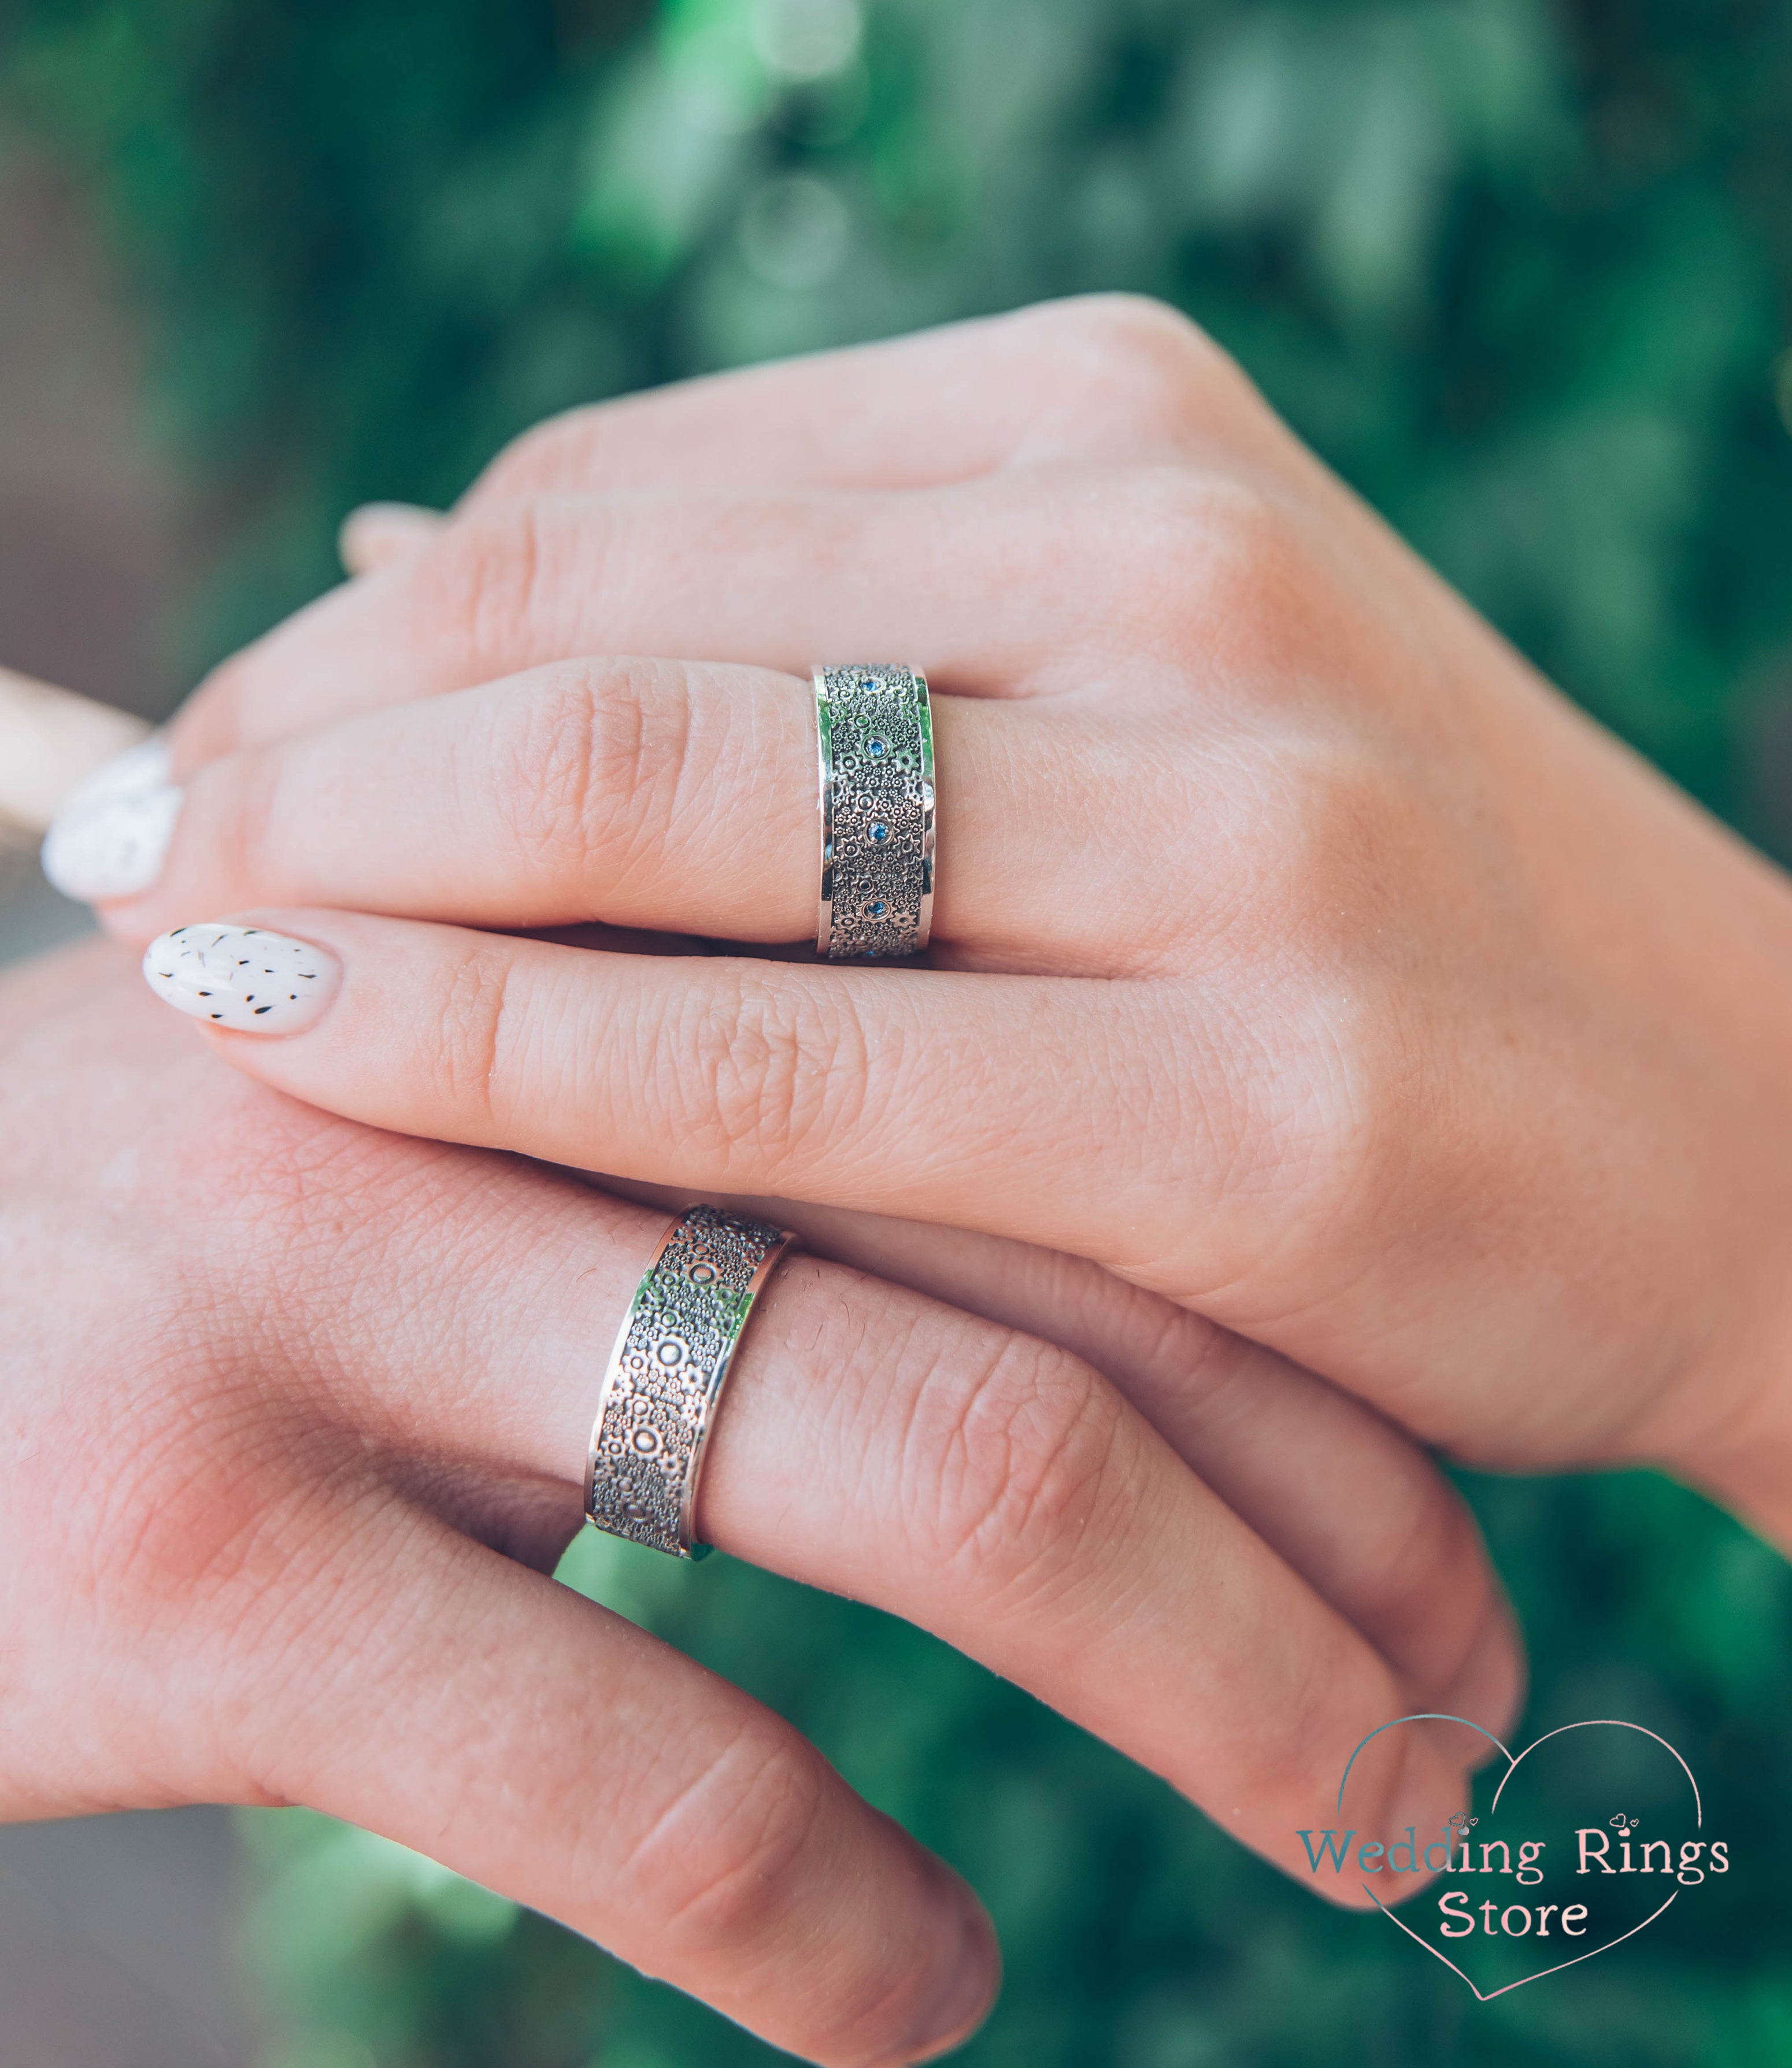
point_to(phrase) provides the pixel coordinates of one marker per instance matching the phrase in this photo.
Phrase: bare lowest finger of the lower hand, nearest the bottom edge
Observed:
(540, 1746)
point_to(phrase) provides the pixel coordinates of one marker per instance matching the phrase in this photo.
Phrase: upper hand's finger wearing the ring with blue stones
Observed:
(654, 795)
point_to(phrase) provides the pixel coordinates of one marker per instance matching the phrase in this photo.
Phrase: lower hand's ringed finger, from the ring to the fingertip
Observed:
(1020, 1509)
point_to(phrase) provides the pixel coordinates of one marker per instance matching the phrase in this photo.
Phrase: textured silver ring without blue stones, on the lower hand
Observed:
(667, 1374)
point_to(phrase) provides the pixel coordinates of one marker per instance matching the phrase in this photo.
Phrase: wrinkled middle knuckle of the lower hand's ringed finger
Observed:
(1026, 1455)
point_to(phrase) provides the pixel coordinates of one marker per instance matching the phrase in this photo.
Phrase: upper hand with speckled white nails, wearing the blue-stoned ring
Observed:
(1299, 954)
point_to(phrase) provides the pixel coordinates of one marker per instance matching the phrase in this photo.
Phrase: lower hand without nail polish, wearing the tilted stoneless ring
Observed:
(295, 1407)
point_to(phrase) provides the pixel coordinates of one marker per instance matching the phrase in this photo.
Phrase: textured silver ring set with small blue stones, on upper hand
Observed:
(877, 812)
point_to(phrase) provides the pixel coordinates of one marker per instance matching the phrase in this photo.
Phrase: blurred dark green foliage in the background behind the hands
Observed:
(1520, 272)
